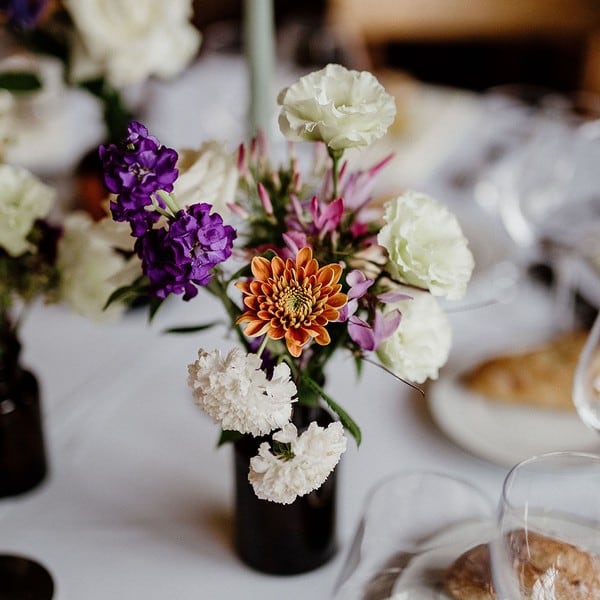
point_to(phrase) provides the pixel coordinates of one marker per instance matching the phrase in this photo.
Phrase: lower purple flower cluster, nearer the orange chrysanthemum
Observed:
(179, 258)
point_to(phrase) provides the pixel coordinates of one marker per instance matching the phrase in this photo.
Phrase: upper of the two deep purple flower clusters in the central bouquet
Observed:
(135, 170)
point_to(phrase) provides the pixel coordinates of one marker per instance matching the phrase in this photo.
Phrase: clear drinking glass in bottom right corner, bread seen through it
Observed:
(547, 545)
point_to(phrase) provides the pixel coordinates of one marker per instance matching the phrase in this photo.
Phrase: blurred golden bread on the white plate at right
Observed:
(541, 376)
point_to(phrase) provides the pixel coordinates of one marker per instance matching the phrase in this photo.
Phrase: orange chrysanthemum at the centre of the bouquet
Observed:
(291, 300)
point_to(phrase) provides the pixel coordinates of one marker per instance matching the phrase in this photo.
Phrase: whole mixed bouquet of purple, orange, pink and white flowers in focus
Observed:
(303, 264)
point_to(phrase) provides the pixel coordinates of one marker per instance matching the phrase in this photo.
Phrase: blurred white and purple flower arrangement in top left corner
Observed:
(106, 46)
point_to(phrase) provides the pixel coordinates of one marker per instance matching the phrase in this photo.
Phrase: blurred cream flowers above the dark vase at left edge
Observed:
(69, 261)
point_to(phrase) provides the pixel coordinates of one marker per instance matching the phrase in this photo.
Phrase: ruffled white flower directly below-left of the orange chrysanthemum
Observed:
(236, 393)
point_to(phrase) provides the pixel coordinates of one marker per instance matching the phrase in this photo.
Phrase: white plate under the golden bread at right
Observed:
(501, 433)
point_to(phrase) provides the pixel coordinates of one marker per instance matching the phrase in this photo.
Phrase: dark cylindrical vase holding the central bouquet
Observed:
(284, 539)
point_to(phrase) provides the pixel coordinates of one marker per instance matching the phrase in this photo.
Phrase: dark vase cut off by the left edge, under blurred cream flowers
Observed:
(22, 450)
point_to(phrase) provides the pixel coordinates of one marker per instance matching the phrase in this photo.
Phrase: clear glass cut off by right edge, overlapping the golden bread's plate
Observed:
(586, 385)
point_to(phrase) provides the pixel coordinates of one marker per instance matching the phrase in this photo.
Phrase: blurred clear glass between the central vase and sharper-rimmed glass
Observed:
(414, 524)
